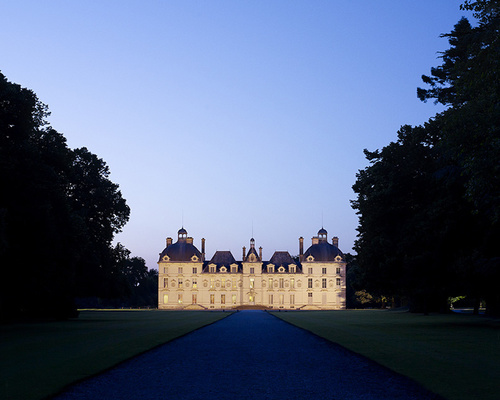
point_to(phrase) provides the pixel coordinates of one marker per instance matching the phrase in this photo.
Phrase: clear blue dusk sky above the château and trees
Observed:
(233, 118)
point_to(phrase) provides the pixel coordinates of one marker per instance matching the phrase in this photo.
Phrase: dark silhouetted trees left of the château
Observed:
(59, 212)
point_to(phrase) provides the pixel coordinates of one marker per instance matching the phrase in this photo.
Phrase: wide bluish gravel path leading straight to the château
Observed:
(248, 355)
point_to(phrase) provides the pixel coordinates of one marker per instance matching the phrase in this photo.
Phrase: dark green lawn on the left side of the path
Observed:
(39, 359)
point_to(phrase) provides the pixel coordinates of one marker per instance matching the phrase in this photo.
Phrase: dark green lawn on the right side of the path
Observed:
(456, 355)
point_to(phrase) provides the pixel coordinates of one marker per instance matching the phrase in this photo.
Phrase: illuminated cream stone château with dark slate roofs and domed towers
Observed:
(315, 280)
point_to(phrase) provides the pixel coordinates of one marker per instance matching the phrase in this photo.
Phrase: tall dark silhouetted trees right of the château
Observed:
(428, 204)
